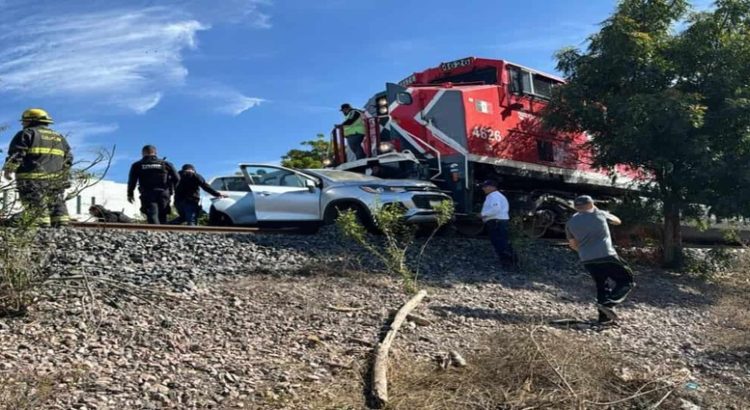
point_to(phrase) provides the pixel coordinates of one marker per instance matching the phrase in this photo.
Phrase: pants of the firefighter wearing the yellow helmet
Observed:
(45, 201)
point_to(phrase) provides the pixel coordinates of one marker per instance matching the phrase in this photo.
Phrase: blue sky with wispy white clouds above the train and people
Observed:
(215, 83)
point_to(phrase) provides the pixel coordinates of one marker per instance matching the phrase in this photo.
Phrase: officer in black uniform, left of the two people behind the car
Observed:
(156, 179)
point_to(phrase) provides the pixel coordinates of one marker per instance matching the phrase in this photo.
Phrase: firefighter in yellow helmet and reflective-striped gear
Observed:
(41, 160)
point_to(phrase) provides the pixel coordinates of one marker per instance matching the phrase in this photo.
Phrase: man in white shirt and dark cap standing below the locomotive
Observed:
(495, 217)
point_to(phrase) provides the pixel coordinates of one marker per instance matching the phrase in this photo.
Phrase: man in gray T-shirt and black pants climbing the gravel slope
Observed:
(588, 233)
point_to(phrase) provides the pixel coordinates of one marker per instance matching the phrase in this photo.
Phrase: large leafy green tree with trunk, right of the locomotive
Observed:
(674, 104)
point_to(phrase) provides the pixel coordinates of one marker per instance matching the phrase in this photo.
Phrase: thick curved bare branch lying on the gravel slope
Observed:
(380, 366)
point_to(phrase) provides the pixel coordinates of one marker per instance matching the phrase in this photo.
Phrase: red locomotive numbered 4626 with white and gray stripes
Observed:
(473, 119)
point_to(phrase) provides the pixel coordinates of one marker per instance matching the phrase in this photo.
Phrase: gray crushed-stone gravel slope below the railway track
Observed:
(252, 321)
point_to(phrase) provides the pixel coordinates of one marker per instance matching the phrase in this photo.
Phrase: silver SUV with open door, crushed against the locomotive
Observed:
(270, 195)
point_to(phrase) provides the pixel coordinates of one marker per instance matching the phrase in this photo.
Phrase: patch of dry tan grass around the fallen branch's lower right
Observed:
(528, 368)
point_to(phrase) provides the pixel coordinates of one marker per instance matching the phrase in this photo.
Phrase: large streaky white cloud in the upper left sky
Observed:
(127, 56)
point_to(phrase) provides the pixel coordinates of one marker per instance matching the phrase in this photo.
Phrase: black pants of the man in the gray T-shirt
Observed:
(610, 269)
